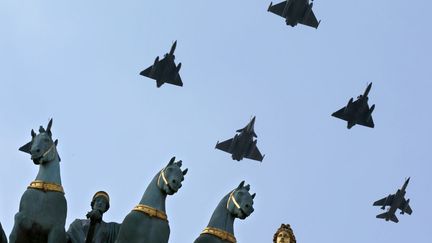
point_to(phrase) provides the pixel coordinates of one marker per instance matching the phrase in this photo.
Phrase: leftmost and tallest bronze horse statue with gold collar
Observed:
(42, 211)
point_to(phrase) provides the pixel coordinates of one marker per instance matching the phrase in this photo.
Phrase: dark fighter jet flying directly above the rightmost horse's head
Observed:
(243, 144)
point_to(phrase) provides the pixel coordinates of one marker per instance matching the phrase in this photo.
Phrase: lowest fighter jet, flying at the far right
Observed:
(395, 201)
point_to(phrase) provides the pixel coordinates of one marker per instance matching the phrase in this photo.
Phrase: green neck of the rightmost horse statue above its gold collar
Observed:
(222, 218)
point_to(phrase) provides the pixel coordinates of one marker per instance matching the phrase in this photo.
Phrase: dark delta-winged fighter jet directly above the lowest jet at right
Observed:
(357, 112)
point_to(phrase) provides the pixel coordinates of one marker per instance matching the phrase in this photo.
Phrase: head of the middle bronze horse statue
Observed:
(170, 178)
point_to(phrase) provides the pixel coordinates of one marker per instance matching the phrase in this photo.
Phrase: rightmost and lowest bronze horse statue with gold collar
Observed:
(238, 203)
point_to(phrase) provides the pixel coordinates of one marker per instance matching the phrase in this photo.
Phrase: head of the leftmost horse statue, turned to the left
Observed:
(42, 148)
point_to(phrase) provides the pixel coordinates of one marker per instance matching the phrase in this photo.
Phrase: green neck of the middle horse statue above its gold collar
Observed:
(153, 196)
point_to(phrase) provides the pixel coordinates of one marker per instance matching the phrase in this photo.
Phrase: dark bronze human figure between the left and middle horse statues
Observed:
(94, 229)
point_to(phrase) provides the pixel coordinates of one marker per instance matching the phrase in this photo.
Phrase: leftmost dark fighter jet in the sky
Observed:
(165, 70)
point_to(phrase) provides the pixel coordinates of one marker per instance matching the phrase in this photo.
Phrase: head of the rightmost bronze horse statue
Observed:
(240, 201)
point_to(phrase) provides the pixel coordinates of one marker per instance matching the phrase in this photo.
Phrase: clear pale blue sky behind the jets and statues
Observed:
(78, 62)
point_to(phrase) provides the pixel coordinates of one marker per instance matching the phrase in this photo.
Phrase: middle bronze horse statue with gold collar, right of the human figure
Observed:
(148, 222)
